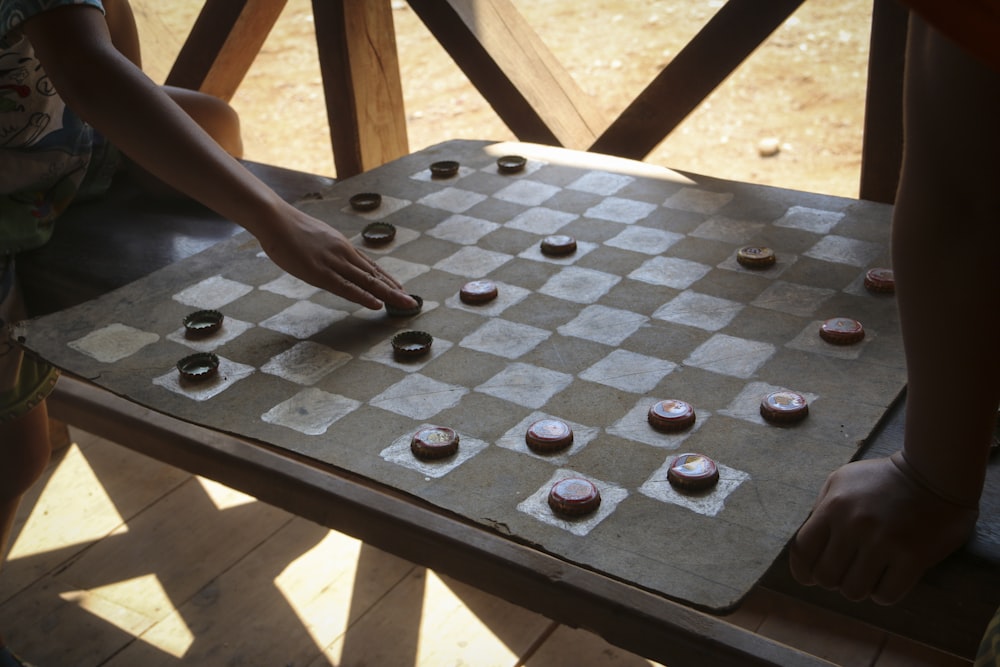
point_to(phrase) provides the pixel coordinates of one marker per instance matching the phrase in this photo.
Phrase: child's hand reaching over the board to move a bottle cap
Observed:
(320, 255)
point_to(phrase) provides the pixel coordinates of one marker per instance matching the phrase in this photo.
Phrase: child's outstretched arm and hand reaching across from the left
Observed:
(109, 92)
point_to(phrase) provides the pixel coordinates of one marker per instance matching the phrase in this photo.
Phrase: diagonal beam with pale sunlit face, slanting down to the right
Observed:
(510, 66)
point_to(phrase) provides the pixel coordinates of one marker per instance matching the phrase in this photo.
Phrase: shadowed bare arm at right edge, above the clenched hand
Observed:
(946, 235)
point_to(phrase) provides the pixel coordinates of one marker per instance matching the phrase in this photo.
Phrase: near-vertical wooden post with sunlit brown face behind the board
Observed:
(364, 94)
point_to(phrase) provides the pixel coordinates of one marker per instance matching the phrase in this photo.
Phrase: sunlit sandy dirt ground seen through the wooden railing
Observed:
(803, 88)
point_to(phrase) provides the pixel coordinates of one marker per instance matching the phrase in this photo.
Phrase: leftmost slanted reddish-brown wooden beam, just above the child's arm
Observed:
(223, 44)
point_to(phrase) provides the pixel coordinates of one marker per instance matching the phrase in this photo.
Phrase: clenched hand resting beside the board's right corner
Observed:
(874, 531)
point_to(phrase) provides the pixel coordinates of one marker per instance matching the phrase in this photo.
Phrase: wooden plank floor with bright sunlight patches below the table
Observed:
(119, 560)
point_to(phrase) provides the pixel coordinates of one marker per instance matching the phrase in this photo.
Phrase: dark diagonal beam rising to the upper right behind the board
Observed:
(709, 58)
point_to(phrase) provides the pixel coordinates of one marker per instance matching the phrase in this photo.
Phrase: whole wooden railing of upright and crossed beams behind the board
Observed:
(521, 79)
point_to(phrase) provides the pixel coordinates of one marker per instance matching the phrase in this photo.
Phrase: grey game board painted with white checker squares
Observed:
(651, 306)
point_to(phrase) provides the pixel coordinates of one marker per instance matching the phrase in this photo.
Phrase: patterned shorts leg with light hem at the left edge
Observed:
(24, 380)
